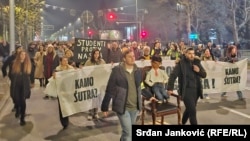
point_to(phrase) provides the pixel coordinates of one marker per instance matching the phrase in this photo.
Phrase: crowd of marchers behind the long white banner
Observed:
(45, 55)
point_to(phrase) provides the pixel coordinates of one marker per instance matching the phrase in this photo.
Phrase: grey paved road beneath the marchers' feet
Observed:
(43, 119)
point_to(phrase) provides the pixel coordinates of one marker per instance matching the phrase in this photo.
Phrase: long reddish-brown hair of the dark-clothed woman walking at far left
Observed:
(16, 67)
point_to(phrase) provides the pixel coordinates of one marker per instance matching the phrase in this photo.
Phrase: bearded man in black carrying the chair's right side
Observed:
(189, 72)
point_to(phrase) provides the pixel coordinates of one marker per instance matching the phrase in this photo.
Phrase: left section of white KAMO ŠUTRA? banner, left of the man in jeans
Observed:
(82, 89)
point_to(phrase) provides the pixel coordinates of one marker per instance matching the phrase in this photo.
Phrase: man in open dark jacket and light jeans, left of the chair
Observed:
(124, 88)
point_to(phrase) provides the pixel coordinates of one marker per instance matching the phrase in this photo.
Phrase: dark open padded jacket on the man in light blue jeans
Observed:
(117, 89)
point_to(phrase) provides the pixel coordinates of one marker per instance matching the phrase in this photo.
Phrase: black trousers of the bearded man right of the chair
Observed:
(190, 102)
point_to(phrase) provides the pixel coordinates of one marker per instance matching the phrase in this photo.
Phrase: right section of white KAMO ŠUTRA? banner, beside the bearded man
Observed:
(224, 77)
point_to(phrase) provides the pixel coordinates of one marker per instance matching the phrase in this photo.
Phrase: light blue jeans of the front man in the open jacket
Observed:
(127, 120)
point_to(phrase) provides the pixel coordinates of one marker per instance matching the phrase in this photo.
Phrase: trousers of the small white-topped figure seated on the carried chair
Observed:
(160, 91)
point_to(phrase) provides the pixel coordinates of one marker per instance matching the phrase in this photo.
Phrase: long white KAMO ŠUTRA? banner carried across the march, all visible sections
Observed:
(83, 89)
